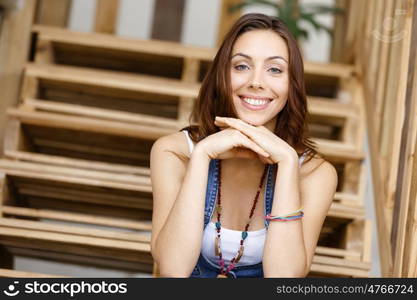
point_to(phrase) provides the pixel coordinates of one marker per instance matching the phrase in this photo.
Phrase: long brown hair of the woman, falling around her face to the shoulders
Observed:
(215, 94)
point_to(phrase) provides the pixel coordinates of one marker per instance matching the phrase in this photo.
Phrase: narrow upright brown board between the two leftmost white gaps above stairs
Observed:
(106, 16)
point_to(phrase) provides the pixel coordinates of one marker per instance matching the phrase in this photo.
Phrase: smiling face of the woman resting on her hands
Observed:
(259, 77)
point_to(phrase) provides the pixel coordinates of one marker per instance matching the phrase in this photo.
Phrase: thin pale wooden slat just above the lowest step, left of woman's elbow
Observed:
(76, 217)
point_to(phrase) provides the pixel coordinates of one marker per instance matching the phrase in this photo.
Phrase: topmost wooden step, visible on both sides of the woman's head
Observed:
(55, 45)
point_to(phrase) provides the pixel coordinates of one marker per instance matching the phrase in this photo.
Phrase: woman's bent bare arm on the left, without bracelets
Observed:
(177, 220)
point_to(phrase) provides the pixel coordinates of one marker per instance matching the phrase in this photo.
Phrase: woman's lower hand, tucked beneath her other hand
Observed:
(231, 143)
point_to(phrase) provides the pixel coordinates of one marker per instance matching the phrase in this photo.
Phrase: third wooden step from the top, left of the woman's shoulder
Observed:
(82, 138)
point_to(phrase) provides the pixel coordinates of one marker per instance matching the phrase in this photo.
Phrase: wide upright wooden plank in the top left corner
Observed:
(15, 30)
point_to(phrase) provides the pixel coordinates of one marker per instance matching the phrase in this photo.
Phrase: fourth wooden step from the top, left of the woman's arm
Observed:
(31, 190)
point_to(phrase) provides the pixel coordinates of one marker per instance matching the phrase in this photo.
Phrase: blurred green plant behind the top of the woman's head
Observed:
(293, 14)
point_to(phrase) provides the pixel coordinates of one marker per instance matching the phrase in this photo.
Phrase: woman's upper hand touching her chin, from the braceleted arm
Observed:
(278, 149)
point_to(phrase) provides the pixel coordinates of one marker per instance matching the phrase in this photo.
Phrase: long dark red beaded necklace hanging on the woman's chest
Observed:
(217, 249)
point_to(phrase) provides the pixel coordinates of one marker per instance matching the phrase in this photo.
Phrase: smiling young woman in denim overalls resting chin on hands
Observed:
(243, 193)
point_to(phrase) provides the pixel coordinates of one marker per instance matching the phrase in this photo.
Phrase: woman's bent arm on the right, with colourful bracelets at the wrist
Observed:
(290, 246)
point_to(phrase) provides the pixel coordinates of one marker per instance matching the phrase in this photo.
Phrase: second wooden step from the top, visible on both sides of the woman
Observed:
(334, 125)
